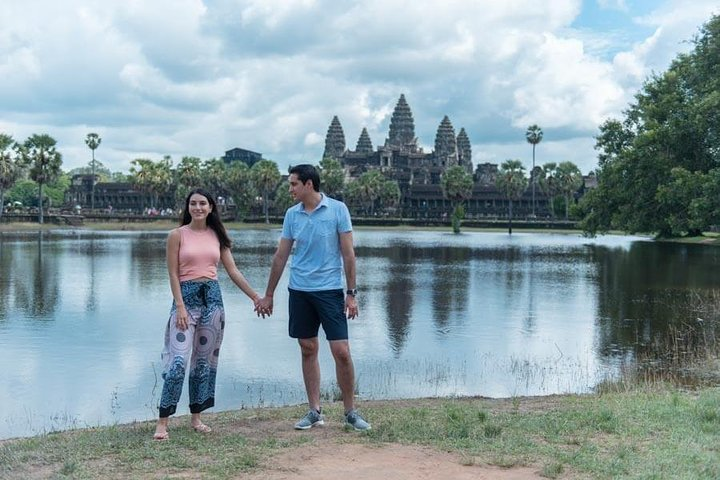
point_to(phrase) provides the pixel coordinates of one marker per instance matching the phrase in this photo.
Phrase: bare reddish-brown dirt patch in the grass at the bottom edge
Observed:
(332, 461)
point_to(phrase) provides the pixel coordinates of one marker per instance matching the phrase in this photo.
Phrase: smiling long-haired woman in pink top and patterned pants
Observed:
(197, 317)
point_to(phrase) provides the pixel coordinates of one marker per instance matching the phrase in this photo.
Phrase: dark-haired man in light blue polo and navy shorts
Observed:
(321, 230)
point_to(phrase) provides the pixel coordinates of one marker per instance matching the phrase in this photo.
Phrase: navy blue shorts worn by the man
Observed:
(309, 310)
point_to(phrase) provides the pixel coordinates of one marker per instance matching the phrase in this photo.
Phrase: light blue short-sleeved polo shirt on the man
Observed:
(317, 261)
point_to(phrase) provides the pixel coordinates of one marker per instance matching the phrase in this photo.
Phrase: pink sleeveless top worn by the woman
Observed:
(199, 254)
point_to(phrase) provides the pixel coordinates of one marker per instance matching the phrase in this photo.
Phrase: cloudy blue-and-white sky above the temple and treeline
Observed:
(199, 77)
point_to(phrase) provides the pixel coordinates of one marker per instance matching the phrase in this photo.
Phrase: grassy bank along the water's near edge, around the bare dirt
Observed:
(658, 432)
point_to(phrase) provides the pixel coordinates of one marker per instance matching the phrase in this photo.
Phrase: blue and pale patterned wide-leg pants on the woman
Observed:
(197, 348)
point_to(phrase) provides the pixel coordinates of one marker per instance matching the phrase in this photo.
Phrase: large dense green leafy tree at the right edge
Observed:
(656, 164)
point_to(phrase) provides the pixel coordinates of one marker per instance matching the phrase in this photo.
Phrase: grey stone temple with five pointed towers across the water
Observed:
(418, 173)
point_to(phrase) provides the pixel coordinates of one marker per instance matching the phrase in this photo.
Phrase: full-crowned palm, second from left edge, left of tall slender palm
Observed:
(44, 160)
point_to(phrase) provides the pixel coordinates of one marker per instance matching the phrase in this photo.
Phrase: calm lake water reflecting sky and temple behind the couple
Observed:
(82, 316)
